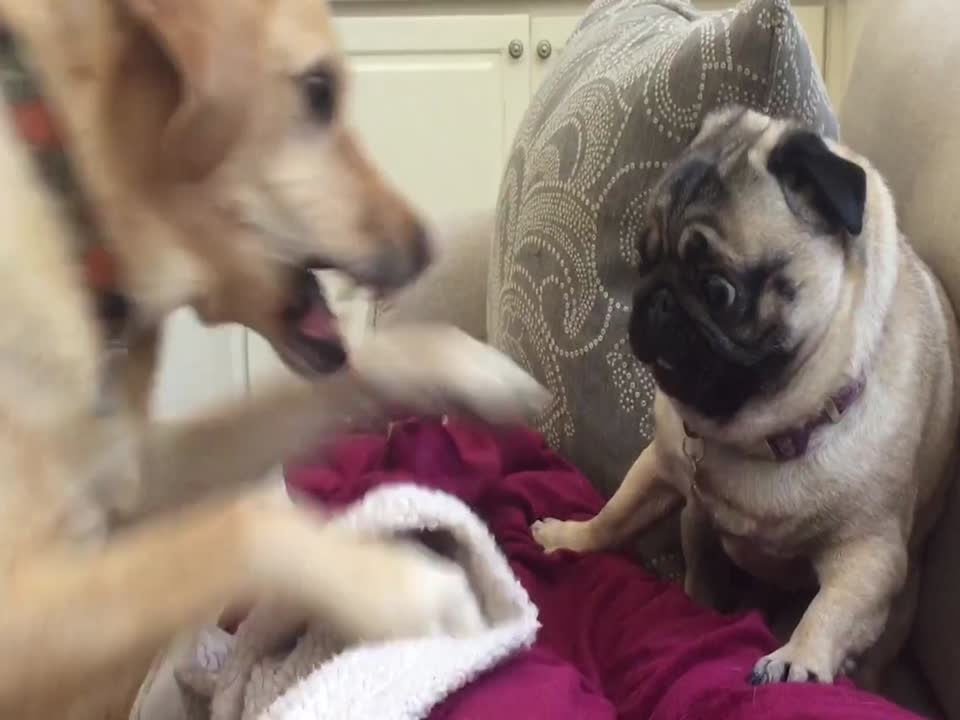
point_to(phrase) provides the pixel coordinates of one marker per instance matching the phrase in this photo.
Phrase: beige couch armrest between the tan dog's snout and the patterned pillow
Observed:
(453, 290)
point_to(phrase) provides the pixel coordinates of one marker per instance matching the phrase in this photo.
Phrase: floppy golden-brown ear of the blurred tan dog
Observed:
(213, 47)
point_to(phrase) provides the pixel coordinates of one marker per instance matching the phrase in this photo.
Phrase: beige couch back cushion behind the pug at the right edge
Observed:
(903, 111)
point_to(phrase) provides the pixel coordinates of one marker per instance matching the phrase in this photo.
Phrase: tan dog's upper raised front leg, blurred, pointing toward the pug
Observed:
(422, 369)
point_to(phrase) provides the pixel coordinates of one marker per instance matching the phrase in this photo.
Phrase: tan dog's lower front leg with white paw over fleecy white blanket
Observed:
(72, 619)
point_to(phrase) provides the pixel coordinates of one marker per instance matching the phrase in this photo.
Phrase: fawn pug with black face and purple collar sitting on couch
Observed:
(807, 367)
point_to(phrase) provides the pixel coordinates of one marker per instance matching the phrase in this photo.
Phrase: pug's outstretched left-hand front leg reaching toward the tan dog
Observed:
(641, 499)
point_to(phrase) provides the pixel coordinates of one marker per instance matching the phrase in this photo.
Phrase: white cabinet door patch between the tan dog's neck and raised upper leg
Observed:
(198, 365)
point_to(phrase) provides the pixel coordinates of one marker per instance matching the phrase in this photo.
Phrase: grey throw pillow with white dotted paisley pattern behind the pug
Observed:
(628, 93)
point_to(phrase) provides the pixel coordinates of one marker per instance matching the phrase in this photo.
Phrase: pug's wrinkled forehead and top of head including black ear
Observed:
(747, 168)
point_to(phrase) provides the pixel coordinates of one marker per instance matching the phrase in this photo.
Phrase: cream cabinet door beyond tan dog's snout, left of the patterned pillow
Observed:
(436, 100)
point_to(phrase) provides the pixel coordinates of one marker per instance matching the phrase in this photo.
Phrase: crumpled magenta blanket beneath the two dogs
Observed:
(615, 642)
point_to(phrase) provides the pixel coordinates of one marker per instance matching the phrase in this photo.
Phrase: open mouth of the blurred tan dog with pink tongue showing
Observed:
(312, 343)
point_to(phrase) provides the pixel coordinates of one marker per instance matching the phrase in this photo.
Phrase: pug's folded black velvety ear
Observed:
(835, 187)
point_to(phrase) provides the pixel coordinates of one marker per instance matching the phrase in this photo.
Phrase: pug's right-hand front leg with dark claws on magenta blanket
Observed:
(858, 582)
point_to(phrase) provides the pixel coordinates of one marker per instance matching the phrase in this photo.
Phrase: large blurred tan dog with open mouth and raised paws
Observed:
(207, 137)
